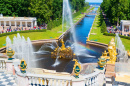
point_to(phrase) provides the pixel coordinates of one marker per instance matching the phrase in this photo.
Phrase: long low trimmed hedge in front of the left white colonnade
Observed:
(25, 31)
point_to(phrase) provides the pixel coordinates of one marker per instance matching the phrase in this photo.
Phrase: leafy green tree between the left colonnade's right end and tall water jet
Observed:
(42, 9)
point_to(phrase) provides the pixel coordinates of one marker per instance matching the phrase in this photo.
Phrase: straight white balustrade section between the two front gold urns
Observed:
(50, 80)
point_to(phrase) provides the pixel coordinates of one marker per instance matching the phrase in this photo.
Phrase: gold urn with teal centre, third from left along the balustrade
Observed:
(76, 68)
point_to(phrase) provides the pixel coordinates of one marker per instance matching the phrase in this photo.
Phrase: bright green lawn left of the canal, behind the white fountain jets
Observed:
(49, 34)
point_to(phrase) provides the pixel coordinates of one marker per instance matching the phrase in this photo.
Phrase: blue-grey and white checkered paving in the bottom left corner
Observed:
(7, 79)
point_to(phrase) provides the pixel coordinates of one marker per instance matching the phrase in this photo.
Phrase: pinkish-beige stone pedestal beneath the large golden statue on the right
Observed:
(110, 70)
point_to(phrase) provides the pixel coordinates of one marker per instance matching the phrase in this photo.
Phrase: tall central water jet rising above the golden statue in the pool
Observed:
(67, 17)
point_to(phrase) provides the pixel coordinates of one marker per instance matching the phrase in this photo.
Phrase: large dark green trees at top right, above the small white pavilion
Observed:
(116, 10)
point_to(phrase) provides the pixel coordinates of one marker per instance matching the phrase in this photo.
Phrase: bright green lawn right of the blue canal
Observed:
(102, 38)
